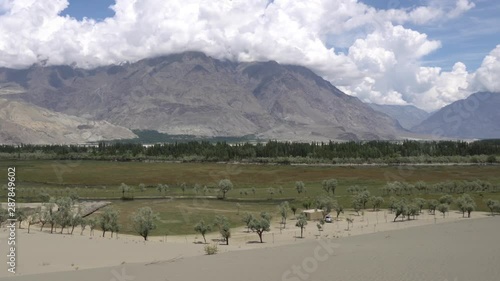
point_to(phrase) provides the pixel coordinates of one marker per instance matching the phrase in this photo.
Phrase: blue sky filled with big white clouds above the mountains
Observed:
(426, 53)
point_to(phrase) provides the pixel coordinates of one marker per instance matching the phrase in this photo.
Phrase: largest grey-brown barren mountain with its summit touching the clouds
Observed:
(194, 94)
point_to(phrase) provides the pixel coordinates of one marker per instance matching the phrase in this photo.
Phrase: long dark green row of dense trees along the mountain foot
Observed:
(222, 151)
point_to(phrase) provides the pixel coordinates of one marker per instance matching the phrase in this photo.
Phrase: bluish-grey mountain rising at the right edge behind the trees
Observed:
(477, 117)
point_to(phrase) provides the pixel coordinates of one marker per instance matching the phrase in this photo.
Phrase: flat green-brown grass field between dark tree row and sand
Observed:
(101, 180)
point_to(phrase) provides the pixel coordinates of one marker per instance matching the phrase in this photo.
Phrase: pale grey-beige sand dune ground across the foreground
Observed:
(374, 248)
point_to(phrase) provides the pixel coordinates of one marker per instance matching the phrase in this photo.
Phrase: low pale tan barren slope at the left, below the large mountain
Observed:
(24, 123)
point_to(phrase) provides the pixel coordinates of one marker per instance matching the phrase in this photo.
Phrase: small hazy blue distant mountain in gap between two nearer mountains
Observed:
(407, 115)
